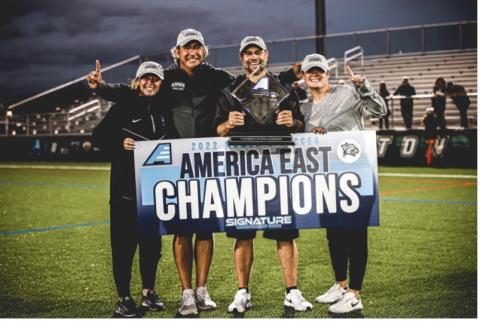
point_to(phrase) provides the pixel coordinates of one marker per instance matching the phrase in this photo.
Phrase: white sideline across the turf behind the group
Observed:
(103, 168)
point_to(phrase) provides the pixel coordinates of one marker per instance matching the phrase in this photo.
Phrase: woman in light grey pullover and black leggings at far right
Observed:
(341, 108)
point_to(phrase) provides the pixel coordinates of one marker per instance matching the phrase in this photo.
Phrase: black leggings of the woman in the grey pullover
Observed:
(349, 249)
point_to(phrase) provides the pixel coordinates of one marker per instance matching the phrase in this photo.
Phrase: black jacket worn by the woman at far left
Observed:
(138, 114)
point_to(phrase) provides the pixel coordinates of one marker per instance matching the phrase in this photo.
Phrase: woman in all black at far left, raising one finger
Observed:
(135, 116)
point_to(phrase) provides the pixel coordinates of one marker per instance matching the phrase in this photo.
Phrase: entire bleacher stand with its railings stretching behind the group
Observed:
(70, 109)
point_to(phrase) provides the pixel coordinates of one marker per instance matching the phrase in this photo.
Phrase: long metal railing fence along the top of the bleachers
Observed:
(412, 39)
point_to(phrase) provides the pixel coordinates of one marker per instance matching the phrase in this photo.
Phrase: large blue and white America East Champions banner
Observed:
(205, 185)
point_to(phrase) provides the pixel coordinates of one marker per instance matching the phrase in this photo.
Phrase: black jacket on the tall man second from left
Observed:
(192, 98)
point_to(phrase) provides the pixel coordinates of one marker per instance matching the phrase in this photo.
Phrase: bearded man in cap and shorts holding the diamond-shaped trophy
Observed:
(260, 110)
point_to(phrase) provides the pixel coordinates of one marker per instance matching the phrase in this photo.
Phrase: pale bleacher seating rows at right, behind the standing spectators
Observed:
(422, 69)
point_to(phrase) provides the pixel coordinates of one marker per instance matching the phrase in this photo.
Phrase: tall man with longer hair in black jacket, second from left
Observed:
(192, 87)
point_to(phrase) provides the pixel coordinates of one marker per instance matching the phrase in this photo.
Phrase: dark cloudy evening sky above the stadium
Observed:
(44, 43)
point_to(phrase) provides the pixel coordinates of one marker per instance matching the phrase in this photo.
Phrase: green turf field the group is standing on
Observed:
(55, 253)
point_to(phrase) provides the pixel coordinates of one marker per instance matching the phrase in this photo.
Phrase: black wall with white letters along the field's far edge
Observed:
(452, 148)
